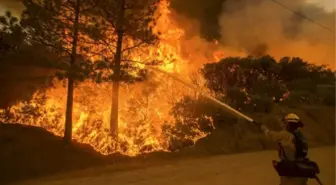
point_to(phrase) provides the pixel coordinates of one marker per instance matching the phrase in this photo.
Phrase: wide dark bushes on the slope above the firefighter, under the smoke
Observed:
(258, 81)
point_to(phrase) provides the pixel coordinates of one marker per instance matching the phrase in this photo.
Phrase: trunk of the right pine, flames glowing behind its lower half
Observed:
(115, 91)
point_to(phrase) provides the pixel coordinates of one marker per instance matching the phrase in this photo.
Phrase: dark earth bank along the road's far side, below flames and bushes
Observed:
(29, 152)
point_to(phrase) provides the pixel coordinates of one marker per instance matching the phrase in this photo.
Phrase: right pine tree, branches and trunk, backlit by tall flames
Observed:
(127, 26)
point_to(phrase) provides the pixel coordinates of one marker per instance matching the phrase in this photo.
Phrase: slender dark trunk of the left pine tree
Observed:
(68, 114)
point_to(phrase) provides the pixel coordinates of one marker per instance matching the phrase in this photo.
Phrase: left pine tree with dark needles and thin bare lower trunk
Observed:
(61, 27)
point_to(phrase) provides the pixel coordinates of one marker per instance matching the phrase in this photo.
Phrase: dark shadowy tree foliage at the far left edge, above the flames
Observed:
(24, 66)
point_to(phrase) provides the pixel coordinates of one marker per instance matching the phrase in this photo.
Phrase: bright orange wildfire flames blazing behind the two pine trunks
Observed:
(144, 106)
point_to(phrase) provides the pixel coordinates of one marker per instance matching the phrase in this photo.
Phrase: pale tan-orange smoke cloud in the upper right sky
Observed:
(267, 28)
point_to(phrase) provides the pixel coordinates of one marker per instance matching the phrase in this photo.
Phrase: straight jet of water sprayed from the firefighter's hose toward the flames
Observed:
(224, 105)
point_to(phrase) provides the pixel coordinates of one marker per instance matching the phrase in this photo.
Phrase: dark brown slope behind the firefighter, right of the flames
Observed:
(241, 136)
